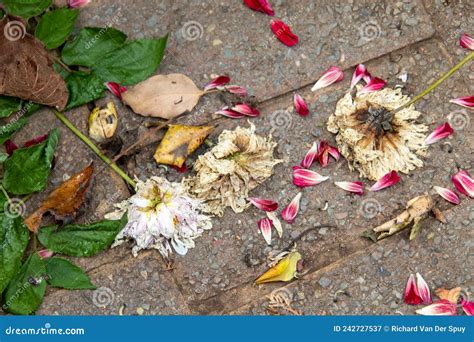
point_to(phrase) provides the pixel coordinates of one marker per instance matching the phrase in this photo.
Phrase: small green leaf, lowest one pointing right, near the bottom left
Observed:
(64, 274)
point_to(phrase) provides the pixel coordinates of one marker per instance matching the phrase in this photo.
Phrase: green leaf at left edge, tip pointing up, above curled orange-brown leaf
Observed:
(28, 169)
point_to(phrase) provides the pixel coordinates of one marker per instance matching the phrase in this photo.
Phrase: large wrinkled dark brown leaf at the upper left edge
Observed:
(26, 69)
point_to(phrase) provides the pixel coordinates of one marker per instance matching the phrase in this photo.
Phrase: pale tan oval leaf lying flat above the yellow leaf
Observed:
(163, 96)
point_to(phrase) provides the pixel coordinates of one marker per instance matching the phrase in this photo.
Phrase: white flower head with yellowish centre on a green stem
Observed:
(160, 215)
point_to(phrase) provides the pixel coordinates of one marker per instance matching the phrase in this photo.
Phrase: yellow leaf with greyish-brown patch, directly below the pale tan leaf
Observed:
(179, 142)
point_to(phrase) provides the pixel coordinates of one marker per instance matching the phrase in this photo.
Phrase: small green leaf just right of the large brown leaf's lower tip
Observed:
(83, 88)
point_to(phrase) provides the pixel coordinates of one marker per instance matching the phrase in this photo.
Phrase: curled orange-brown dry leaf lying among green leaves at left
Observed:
(64, 201)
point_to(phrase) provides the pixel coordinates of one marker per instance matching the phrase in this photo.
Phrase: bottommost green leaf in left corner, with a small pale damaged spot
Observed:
(26, 290)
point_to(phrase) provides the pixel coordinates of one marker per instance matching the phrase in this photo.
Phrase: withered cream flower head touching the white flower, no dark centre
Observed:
(239, 162)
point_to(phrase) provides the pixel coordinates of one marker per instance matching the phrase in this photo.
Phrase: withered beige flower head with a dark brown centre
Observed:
(373, 140)
